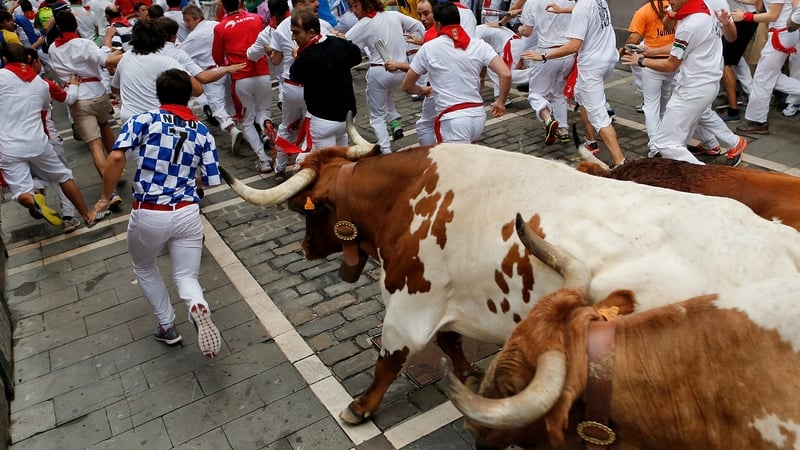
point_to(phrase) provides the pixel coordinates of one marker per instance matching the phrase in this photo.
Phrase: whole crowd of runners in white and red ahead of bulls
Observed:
(149, 60)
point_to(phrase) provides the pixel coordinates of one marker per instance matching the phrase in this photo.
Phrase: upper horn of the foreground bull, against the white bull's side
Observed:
(576, 275)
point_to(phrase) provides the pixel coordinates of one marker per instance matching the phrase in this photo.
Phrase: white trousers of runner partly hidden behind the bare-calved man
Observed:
(546, 87)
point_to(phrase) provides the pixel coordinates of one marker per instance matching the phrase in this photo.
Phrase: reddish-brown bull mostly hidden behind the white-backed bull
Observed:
(771, 195)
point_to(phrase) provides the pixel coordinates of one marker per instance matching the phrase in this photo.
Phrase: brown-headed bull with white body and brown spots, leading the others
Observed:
(437, 220)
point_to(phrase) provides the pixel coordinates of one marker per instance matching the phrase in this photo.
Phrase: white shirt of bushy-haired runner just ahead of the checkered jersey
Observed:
(136, 79)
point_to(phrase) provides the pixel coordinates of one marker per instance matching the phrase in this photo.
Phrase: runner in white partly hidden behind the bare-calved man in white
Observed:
(546, 81)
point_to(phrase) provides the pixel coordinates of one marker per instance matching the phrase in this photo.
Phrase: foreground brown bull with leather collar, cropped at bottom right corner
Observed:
(720, 371)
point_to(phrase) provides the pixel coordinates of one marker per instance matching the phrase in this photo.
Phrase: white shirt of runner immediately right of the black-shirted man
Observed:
(388, 26)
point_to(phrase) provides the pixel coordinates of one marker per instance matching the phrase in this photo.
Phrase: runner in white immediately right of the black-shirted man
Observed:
(375, 24)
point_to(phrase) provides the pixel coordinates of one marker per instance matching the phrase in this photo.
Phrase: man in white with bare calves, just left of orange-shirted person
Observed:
(592, 37)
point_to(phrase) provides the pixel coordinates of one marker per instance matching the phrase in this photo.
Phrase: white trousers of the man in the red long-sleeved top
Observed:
(255, 93)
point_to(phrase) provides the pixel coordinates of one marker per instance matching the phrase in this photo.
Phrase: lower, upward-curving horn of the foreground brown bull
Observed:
(527, 406)
